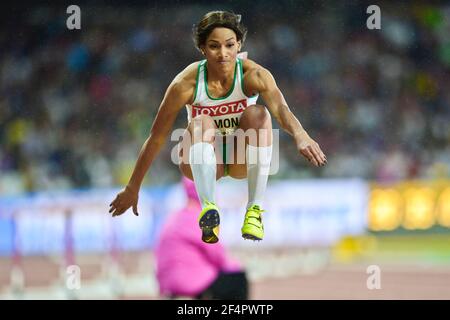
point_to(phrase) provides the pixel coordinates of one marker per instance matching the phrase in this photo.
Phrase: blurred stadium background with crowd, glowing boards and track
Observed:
(76, 106)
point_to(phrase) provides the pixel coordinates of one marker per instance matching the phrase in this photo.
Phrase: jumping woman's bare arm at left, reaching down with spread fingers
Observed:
(179, 93)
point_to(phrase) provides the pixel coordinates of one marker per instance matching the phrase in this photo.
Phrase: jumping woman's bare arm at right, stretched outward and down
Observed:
(259, 80)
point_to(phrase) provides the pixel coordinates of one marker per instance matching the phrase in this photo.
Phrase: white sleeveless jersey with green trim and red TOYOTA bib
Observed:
(225, 111)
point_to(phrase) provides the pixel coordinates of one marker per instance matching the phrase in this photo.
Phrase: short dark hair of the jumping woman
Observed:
(215, 19)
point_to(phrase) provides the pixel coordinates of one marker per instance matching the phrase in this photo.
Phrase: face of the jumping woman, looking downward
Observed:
(222, 47)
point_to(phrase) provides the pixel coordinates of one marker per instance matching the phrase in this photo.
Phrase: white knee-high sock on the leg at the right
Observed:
(258, 168)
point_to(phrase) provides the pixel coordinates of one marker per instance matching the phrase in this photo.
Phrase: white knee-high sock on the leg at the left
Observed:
(203, 166)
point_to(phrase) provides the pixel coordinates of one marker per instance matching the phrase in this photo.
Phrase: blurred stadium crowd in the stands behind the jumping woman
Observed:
(76, 106)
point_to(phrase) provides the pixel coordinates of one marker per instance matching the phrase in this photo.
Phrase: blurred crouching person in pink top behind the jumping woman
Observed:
(188, 267)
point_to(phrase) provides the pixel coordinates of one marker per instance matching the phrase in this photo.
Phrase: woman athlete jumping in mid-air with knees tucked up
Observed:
(220, 94)
